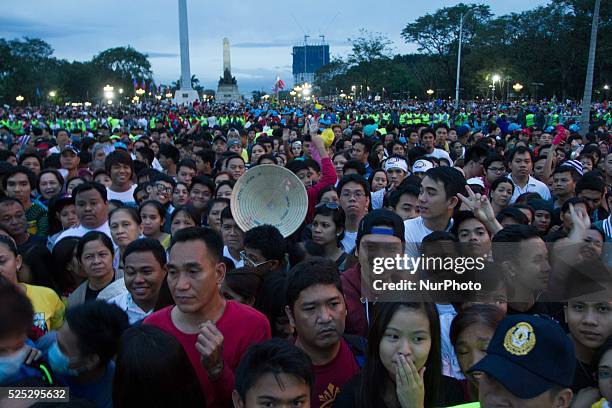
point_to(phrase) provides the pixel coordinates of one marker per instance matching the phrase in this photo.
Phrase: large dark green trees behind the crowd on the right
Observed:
(546, 45)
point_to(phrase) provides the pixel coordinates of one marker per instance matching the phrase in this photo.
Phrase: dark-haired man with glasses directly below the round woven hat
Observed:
(264, 249)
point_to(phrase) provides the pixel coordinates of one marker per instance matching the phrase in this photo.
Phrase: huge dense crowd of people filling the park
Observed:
(125, 276)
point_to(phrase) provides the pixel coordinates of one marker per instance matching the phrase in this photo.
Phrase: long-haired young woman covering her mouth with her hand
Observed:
(403, 364)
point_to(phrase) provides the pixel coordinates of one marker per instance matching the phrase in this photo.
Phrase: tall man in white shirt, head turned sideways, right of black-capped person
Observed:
(437, 201)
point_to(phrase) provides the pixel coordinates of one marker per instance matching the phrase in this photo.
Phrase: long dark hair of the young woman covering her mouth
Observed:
(374, 375)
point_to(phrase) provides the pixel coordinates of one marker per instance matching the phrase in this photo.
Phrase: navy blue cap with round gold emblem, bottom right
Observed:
(529, 355)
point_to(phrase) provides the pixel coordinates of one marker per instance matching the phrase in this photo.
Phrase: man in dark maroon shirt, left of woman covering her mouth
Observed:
(316, 308)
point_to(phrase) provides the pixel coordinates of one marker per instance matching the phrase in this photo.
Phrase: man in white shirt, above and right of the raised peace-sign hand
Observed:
(521, 164)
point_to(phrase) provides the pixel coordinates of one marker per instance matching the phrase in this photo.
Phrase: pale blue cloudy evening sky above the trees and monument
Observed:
(261, 33)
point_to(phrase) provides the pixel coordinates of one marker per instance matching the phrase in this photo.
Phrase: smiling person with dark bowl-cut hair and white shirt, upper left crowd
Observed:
(120, 166)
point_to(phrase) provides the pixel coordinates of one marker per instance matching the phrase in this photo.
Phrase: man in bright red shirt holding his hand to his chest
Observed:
(215, 333)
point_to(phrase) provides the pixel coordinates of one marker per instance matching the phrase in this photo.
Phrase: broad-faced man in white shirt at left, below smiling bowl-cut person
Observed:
(91, 205)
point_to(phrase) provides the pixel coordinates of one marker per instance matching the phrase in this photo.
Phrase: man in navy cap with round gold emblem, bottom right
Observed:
(530, 363)
